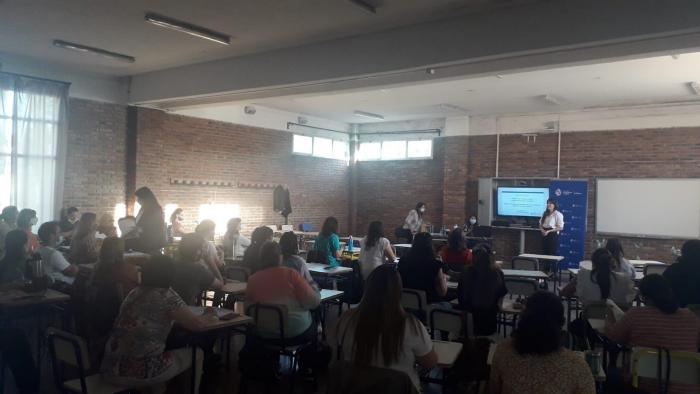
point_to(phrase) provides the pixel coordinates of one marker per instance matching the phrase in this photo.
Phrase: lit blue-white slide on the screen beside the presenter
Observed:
(522, 201)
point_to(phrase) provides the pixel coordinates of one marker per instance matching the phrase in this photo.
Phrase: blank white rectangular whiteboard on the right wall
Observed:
(668, 208)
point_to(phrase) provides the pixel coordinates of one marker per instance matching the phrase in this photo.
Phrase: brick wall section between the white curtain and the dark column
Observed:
(95, 161)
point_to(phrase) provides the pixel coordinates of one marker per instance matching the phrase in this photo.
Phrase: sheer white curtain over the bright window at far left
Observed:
(32, 143)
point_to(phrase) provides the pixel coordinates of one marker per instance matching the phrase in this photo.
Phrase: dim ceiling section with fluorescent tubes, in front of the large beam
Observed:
(28, 27)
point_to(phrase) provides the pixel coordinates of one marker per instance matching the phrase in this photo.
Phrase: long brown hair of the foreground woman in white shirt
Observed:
(379, 320)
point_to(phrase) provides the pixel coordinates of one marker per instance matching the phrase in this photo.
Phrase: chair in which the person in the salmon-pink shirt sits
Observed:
(273, 315)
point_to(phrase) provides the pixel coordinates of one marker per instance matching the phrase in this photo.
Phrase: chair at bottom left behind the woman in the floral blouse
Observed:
(69, 349)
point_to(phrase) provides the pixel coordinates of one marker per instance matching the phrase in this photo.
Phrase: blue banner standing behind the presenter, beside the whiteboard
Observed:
(572, 198)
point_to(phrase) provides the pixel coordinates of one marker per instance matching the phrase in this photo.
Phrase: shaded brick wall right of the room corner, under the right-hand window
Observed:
(387, 190)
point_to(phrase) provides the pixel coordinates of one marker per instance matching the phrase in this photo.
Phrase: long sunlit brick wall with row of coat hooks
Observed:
(174, 146)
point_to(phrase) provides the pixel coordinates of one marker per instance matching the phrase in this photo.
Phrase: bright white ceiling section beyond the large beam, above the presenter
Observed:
(631, 82)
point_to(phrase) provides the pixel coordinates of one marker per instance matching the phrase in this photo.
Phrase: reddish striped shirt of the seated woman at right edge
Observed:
(649, 327)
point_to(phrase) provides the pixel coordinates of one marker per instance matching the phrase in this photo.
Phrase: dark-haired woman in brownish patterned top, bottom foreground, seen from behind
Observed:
(533, 360)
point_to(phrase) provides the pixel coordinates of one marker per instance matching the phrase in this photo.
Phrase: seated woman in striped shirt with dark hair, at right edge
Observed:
(660, 323)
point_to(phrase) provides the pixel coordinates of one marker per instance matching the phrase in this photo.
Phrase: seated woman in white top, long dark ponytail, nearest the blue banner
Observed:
(601, 283)
